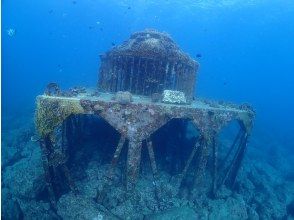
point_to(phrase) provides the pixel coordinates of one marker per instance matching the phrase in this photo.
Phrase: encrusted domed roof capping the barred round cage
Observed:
(152, 44)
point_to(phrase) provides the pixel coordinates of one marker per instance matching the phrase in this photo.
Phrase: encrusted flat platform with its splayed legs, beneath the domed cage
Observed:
(136, 122)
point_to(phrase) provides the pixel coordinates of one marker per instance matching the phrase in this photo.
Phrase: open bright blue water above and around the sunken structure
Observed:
(244, 47)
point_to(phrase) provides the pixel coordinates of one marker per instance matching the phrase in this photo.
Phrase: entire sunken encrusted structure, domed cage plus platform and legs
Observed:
(143, 84)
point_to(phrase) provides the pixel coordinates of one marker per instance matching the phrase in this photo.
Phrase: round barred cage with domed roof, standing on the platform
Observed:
(149, 62)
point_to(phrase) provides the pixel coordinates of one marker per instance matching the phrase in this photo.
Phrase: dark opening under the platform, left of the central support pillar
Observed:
(90, 138)
